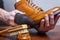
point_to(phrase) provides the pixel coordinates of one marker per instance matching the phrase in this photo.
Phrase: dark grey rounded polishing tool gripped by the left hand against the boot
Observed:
(23, 19)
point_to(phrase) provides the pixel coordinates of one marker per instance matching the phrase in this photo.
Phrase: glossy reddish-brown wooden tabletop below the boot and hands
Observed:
(51, 35)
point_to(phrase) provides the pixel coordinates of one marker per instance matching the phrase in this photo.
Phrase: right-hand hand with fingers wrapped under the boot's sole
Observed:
(48, 23)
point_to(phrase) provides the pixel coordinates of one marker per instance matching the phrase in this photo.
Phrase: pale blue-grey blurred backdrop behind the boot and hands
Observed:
(44, 4)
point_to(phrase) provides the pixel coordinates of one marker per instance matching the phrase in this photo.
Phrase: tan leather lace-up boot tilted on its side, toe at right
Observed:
(32, 11)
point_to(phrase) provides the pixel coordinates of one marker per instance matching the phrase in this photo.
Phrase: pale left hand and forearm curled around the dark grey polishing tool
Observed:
(8, 17)
